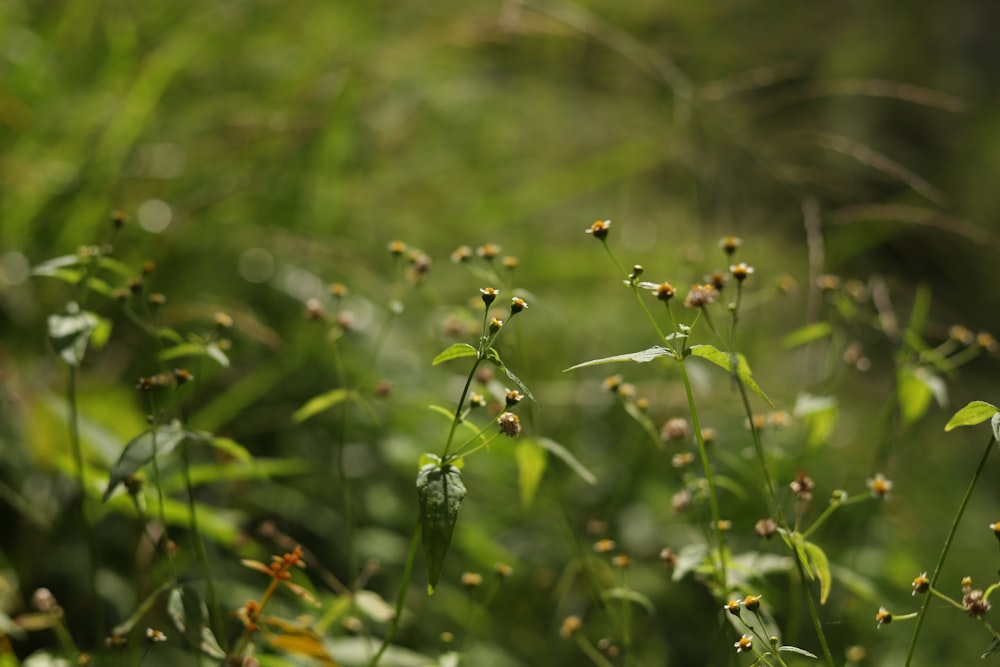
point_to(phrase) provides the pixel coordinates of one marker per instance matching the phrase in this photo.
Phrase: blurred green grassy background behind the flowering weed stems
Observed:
(263, 150)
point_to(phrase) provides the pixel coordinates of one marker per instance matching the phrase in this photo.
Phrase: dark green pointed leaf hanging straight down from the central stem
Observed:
(440, 490)
